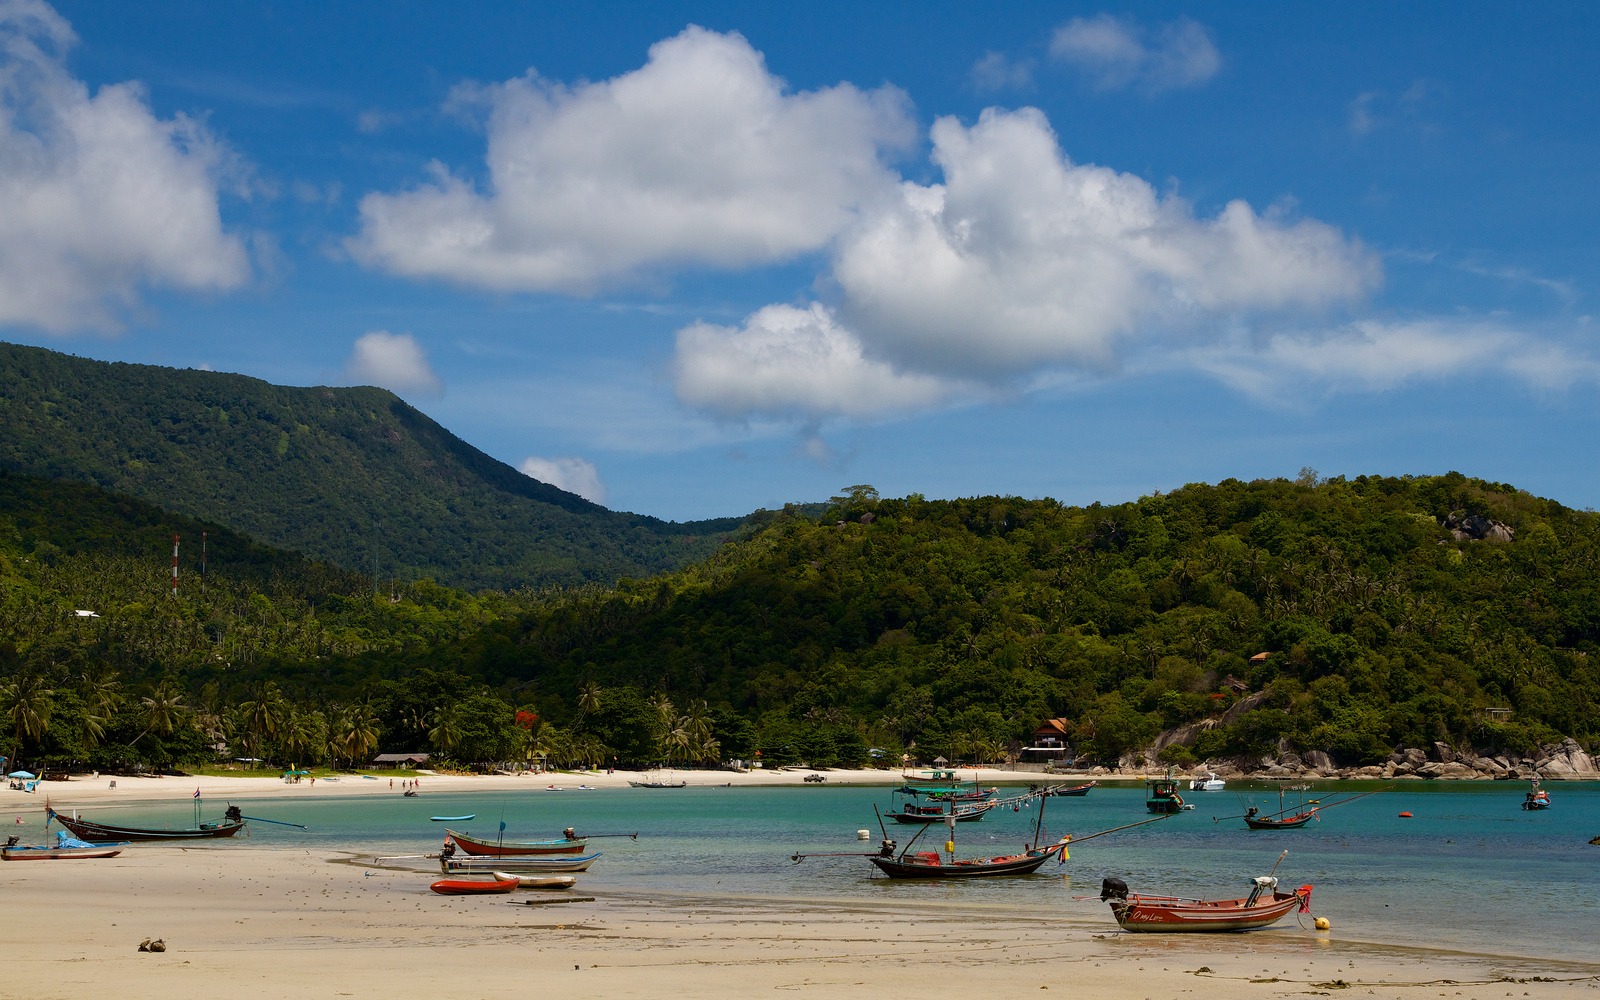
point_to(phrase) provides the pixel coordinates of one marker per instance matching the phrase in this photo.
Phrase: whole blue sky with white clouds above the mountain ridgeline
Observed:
(695, 260)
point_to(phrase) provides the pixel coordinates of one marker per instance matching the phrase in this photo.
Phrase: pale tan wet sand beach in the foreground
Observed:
(250, 922)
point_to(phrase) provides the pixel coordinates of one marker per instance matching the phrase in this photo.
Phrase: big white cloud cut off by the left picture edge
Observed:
(98, 198)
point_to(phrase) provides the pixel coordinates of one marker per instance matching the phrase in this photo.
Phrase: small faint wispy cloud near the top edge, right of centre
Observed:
(1119, 54)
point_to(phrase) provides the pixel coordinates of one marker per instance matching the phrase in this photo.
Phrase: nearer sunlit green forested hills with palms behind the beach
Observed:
(1393, 610)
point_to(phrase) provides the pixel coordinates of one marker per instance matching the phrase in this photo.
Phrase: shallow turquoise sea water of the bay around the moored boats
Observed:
(1470, 873)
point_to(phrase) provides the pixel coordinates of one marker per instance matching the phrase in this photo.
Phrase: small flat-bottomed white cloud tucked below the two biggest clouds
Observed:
(793, 362)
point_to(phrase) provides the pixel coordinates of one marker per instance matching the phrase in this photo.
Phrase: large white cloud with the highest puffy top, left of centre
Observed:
(698, 158)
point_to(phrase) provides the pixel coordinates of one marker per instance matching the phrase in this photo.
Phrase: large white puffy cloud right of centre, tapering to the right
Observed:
(1023, 258)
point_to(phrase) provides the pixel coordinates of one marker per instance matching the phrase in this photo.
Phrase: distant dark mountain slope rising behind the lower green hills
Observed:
(350, 476)
